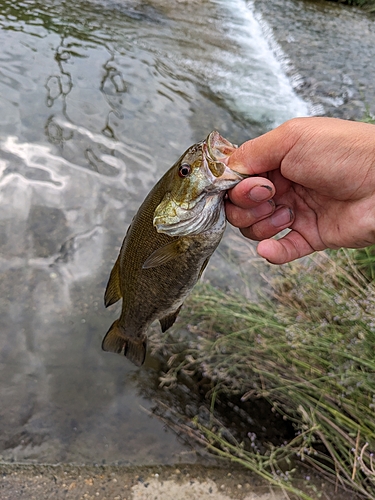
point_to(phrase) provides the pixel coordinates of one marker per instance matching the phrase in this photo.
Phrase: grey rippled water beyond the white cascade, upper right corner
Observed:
(329, 48)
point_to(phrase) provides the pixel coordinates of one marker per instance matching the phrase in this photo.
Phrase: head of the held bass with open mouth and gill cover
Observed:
(195, 187)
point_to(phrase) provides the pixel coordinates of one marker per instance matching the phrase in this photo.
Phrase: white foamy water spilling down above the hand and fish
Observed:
(253, 81)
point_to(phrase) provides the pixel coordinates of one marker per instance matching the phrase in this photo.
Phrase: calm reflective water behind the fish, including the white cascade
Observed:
(97, 100)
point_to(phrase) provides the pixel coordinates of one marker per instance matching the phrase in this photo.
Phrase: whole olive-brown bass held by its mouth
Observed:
(168, 245)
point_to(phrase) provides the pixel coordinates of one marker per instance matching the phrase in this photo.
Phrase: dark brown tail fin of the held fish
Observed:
(117, 341)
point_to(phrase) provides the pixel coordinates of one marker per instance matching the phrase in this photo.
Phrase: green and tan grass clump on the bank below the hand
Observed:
(309, 350)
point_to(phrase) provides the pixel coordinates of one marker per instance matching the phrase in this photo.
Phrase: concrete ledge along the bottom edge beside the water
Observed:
(185, 482)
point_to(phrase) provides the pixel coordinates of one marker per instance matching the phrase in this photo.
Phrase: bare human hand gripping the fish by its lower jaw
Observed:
(319, 175)
